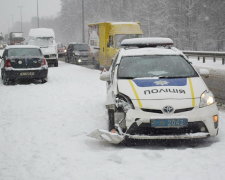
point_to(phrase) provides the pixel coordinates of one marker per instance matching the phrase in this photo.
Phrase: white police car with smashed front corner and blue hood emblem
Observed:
(153, 92)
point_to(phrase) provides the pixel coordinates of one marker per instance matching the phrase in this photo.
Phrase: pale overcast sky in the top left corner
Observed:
(10, 11)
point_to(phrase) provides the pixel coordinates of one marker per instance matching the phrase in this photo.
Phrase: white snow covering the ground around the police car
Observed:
(43, 136)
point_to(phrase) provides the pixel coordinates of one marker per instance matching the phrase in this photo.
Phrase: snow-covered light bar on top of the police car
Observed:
(147, 42)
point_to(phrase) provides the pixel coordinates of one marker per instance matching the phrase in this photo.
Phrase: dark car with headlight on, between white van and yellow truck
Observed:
(78, 53)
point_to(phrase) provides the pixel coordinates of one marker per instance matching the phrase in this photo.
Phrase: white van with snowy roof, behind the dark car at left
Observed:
(45, 39)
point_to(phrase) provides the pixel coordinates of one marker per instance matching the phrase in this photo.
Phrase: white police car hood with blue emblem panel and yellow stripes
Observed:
(157, 89)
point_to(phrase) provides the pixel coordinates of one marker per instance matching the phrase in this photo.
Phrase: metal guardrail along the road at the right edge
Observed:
(205, 54)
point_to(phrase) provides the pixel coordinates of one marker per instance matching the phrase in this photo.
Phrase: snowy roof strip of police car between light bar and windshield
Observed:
(150, 51)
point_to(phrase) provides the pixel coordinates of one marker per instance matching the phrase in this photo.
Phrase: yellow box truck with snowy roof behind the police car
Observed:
(104, 39)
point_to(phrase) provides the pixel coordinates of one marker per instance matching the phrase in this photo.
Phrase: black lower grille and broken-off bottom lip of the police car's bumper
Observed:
(196, 130)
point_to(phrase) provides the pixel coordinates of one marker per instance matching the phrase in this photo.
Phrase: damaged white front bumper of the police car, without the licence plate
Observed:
(138, 126)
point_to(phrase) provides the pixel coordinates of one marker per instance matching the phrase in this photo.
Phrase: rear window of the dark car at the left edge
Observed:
(24, 52)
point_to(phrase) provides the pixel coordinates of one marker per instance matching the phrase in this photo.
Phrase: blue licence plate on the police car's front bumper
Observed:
(169, 123)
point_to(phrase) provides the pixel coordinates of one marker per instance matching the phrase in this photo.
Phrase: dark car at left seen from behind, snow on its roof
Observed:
(21, 62)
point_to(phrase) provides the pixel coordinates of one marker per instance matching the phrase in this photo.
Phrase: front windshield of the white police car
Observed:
(161, 66)
